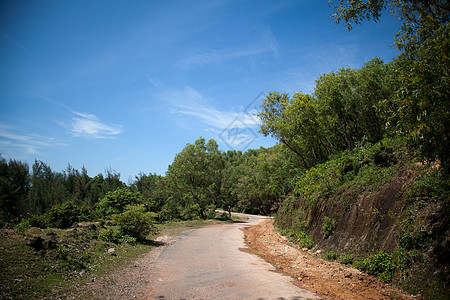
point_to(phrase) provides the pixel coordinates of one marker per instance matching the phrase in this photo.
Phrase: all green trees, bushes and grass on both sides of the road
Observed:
(361, 171)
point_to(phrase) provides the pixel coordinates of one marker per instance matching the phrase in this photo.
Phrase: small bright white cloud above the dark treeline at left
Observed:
(84, 124)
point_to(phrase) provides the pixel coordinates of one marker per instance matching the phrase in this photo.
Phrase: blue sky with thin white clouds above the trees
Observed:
(125, 85)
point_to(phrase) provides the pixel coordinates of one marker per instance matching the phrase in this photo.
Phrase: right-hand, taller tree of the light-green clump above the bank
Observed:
(348, 103)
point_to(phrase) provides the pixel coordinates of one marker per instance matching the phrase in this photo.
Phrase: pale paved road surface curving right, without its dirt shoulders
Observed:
(210, 263)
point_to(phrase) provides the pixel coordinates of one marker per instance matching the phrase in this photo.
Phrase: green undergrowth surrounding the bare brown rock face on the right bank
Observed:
(419, 262)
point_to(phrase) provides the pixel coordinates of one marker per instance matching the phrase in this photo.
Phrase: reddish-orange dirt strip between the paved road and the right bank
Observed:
(330, 280)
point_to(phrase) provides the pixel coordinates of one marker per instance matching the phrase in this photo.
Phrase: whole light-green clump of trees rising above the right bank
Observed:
(343, 110)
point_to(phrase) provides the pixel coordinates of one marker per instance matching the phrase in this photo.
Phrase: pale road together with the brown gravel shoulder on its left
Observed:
(207, 263)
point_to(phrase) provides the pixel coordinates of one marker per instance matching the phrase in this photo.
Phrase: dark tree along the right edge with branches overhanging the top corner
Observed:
(420, 108)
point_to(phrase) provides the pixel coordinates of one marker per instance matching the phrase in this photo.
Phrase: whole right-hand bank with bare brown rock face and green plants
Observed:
(379, 209)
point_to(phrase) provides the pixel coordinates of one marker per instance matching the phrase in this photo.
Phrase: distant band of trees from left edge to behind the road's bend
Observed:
(200, 179)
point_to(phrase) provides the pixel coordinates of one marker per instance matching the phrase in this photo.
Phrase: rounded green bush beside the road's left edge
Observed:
(136, 222)
